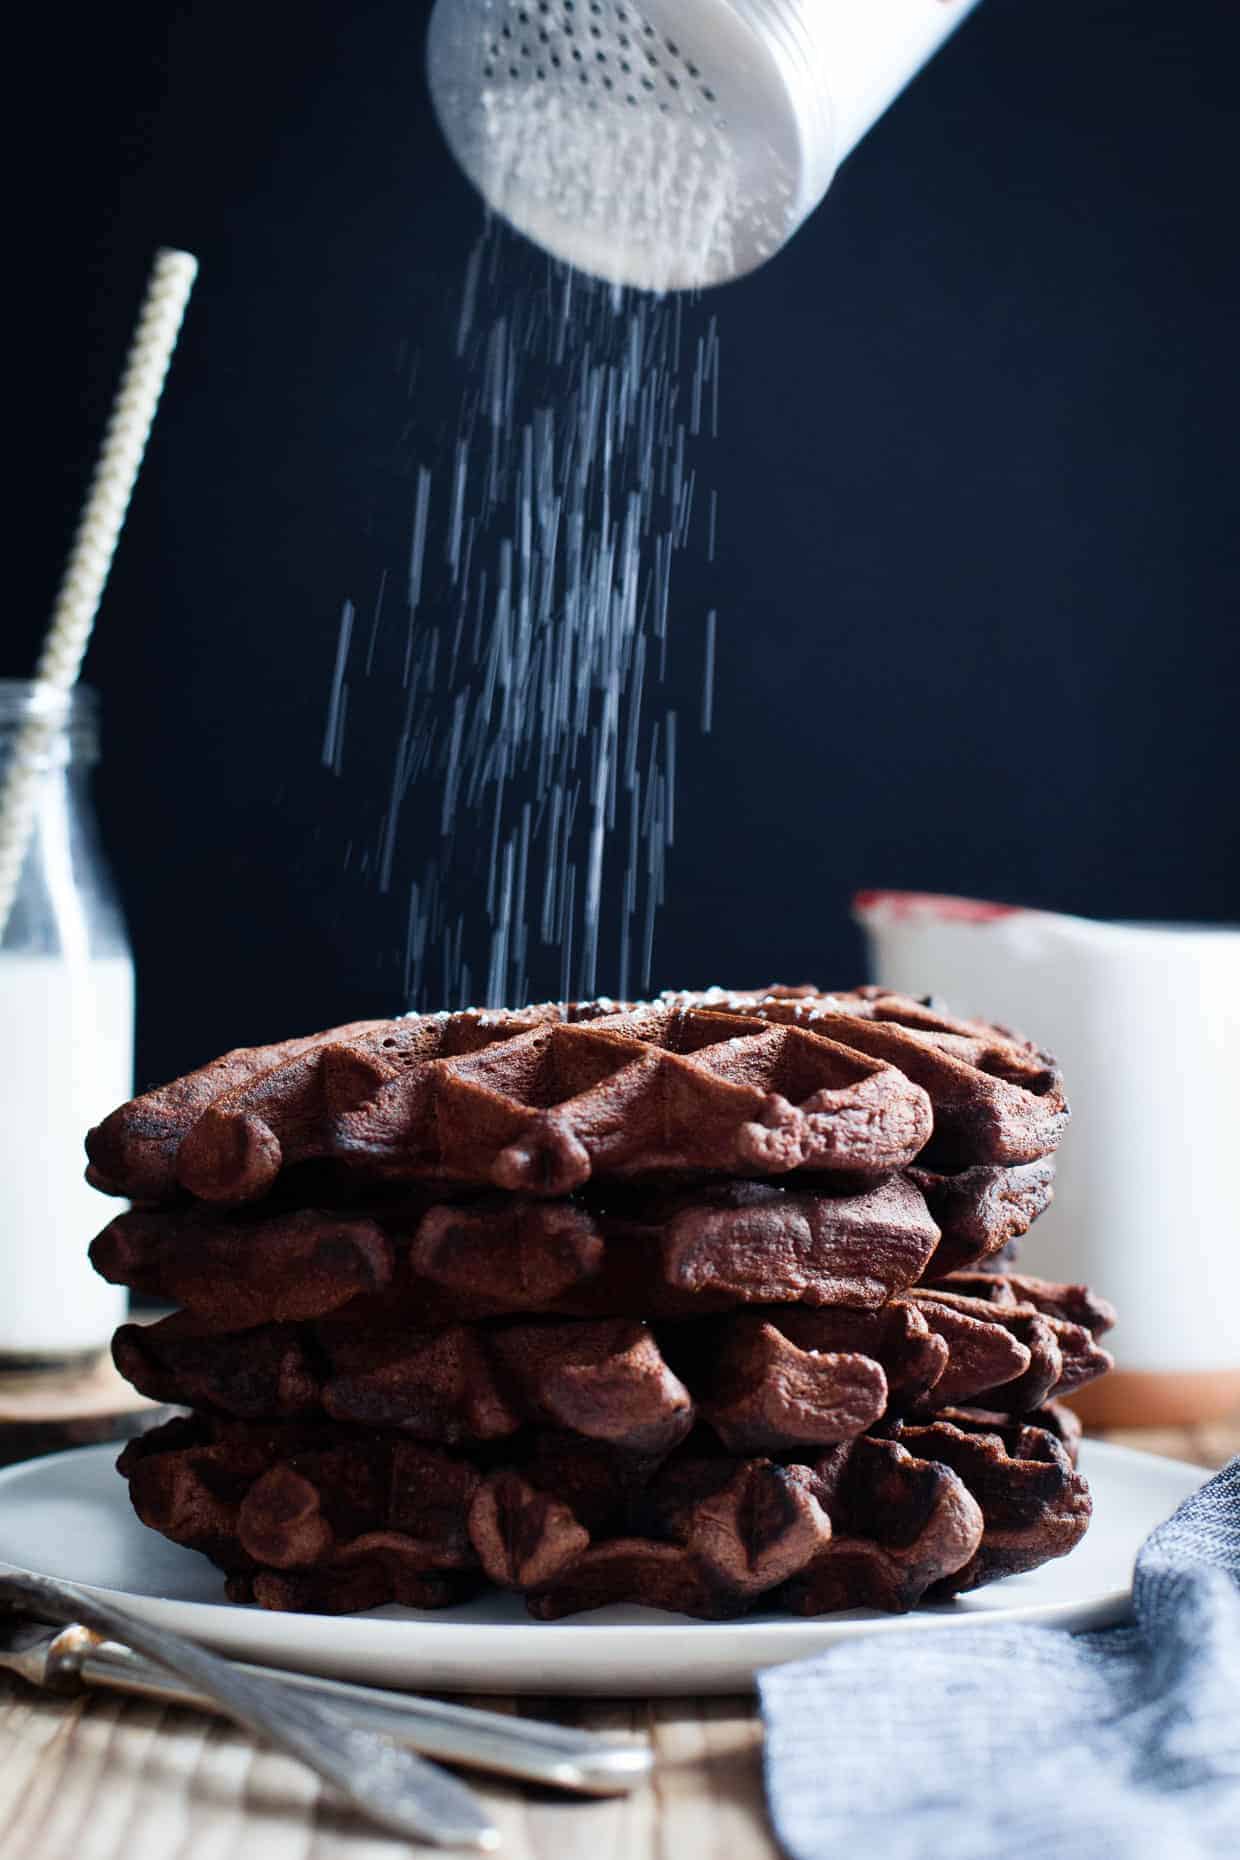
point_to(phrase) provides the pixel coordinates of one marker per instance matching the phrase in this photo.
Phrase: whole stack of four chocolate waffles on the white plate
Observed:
(702, 1305)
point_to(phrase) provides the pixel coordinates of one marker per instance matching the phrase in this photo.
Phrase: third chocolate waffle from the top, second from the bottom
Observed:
(767, 1381)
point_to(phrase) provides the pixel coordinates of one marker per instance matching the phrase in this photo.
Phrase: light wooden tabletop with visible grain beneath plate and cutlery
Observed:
(101, 1779)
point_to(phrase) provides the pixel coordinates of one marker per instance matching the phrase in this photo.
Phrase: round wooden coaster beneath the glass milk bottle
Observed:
(44, 1411)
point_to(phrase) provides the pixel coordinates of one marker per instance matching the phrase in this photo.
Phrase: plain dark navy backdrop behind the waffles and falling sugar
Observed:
(979, 488)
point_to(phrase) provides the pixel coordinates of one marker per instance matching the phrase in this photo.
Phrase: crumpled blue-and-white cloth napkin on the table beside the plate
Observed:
(1029, 1744)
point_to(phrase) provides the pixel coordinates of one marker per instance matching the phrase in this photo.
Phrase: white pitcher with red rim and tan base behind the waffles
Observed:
(1146, 1026)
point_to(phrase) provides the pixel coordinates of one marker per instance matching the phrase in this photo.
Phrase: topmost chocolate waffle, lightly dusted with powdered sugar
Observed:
(542, 1100)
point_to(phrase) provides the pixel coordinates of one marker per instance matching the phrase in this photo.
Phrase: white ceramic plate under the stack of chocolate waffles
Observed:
(70, 1517)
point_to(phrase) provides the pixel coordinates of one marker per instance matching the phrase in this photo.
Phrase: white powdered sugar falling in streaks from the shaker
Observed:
(536, 752)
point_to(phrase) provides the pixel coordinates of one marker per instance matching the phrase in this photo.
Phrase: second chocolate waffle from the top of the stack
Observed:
(629, 1255)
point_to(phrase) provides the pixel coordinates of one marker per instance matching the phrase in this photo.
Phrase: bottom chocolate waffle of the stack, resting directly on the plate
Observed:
(332, 1519)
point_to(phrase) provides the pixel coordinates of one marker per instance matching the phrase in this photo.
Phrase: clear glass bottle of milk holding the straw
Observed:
(68, 1030)
